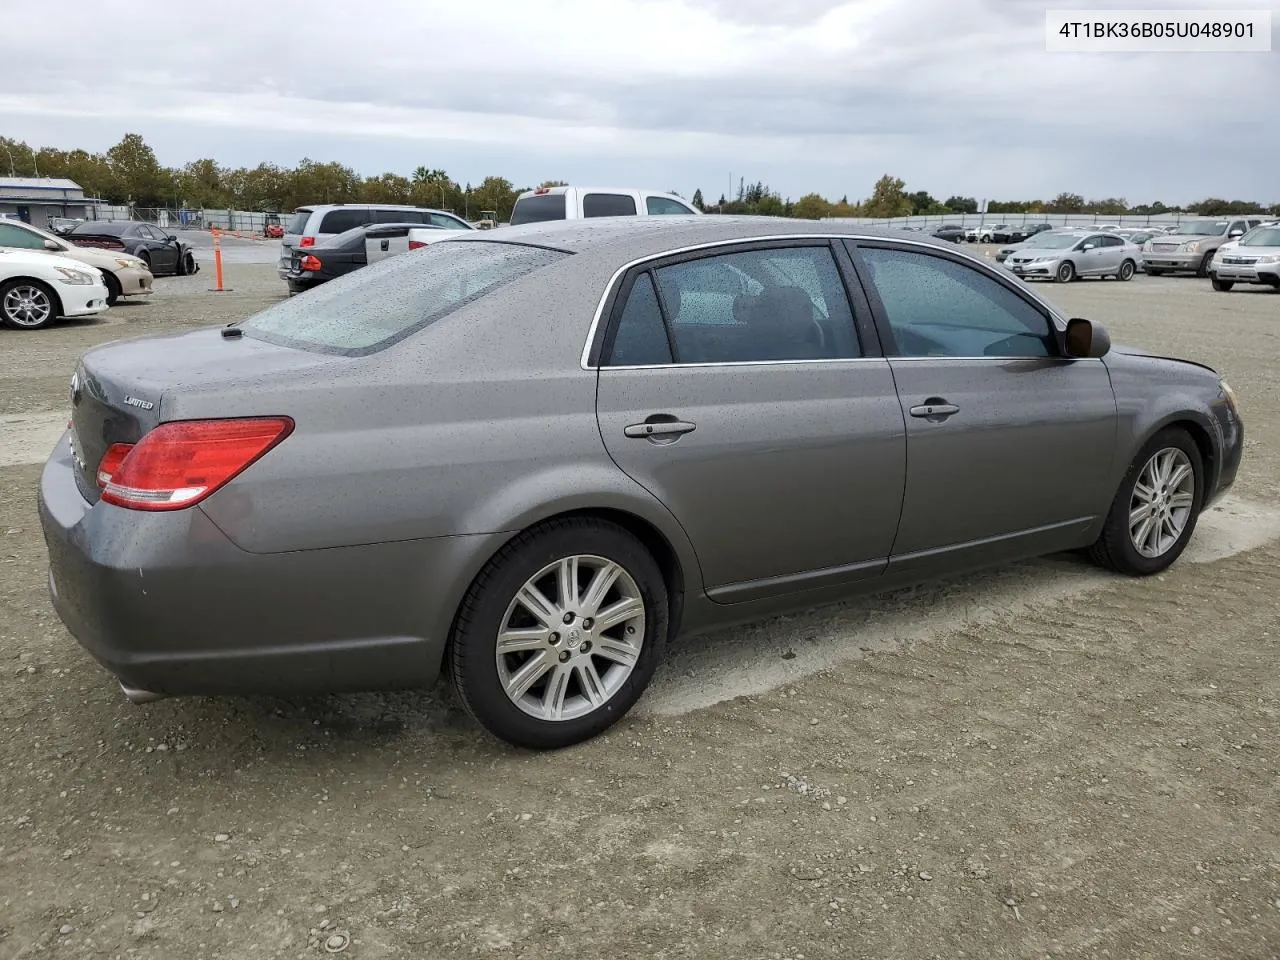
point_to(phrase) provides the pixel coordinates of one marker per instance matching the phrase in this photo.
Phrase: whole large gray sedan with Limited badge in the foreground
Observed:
(532, 458)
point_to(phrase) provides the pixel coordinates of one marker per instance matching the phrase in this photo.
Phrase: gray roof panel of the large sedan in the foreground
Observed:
(634, 237)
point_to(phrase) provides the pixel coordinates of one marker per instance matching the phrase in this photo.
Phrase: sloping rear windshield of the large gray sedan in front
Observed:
(376, 307)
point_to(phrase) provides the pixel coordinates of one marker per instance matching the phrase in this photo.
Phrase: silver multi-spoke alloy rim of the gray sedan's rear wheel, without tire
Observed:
(570, 638)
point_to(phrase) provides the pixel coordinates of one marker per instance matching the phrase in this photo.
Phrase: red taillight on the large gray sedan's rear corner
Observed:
(180, 464)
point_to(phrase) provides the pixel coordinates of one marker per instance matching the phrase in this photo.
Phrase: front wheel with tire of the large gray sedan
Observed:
(1155, 511)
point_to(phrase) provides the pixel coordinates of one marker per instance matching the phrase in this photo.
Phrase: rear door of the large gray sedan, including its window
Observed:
(737, 387)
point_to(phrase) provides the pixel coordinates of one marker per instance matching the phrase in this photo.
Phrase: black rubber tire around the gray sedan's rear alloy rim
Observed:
(473, 659)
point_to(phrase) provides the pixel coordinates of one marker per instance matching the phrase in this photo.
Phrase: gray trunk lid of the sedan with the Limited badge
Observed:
(118, 391)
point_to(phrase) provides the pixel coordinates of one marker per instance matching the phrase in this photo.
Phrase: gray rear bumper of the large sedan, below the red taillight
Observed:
(171, 606)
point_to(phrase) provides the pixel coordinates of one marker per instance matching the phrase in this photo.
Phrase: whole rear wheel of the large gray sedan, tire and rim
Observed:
(560, 634)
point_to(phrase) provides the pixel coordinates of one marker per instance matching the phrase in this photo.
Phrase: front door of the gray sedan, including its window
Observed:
(1009, 445)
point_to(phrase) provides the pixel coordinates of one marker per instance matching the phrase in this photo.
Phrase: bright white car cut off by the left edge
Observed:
(38, 287)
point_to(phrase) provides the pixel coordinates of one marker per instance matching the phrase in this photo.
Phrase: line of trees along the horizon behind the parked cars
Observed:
(130, 173)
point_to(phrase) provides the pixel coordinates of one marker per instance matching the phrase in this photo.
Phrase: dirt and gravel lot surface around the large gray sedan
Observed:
(1037, 762)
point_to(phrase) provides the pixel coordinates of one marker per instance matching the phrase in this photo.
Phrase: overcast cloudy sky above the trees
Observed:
(956, 97)
